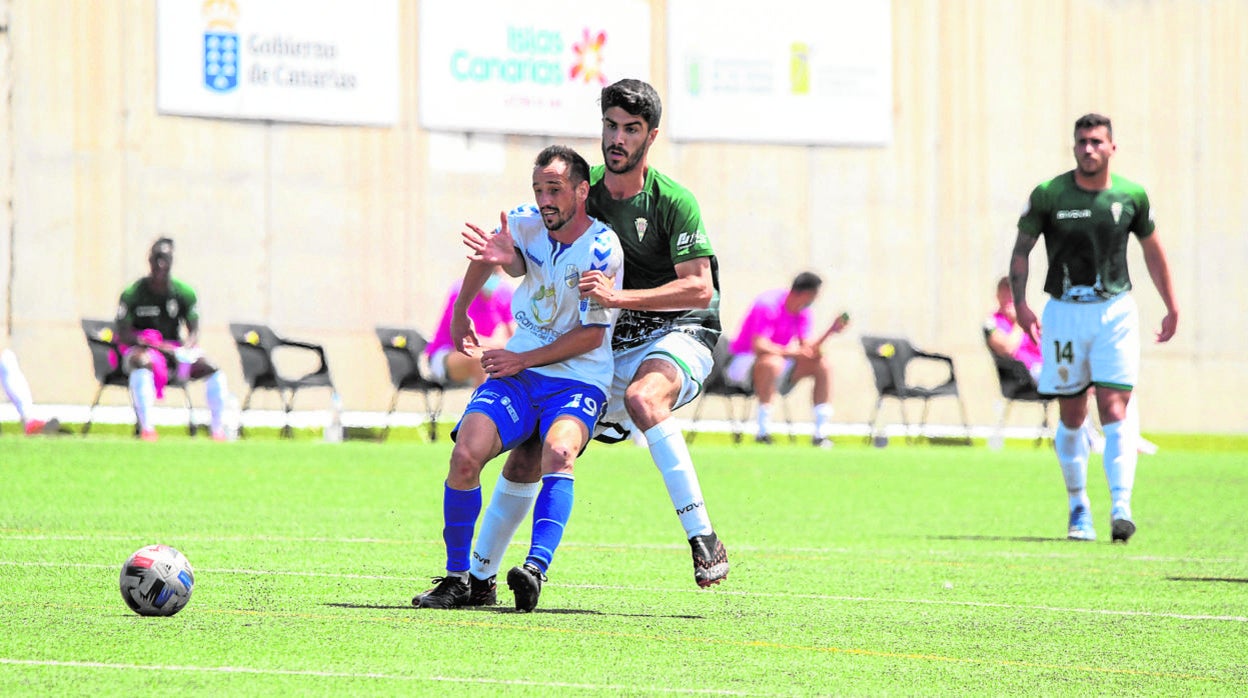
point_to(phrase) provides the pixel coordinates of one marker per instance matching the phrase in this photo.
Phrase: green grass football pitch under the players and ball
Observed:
(903, 571)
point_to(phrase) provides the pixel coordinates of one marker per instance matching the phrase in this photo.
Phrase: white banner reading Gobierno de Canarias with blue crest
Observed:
(329, 62)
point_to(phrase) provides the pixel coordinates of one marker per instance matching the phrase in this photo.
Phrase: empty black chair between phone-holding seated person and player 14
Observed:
(890, 359)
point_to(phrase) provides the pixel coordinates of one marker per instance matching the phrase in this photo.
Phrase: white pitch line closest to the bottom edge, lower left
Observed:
(364, 676)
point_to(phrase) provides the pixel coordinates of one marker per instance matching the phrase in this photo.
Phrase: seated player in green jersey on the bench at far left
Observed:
(150, 319)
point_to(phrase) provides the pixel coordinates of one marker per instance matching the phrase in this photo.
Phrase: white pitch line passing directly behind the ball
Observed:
(718, 592)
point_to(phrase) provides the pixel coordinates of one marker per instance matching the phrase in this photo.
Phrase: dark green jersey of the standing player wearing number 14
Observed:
(1086, 234)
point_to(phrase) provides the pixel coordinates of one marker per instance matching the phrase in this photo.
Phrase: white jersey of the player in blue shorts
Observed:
(547, 304)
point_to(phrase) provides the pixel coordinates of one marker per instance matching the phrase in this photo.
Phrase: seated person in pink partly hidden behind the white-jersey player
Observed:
(491, 315)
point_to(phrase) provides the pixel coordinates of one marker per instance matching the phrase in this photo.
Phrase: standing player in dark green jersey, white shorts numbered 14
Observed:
(1091, 324)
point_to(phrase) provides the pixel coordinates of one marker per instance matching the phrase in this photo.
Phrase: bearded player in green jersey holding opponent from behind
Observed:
(663, 340)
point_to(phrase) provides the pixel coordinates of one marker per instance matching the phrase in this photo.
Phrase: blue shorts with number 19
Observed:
(530, 403)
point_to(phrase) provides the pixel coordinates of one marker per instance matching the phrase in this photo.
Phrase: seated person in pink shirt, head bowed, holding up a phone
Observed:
(774, 350)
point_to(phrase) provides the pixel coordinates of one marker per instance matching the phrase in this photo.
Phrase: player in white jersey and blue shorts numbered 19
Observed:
(550, 381)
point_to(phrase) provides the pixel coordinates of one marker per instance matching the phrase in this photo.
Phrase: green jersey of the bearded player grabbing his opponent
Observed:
(658, 229)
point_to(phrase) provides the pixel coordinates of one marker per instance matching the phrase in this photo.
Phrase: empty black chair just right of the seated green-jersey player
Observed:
(256, 347)
